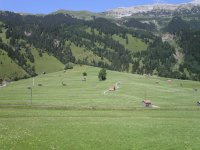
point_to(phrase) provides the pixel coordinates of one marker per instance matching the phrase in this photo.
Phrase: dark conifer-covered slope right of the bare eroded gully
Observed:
(187, 35)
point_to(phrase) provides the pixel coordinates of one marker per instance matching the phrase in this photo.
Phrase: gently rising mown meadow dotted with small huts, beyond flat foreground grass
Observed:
(133, 89)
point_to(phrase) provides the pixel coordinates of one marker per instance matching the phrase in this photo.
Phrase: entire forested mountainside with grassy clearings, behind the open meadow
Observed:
(34, 43)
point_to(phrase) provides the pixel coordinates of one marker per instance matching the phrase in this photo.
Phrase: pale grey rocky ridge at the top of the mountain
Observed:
(155, 9)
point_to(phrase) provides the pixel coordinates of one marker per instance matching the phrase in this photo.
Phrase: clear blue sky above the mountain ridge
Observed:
(48, 6)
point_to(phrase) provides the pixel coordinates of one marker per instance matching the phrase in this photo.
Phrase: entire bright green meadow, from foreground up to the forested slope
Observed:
(80, 116)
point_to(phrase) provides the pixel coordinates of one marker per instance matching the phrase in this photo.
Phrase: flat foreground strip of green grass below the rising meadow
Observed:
(99, 129)
